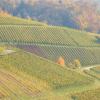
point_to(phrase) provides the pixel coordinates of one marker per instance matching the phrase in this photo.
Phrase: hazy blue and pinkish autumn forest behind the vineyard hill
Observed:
(83, 15)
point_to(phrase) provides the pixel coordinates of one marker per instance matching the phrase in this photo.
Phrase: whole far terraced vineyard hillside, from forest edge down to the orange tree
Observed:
(51, 42)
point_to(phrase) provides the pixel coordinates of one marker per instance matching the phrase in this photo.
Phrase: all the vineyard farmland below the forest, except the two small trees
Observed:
(29, 51)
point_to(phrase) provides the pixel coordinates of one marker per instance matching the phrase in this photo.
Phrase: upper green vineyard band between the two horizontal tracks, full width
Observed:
(45, 35)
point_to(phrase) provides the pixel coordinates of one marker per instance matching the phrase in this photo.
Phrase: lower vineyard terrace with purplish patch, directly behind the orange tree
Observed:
(87, 56)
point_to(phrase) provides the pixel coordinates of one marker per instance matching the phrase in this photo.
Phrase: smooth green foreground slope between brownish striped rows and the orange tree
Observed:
(55, 76)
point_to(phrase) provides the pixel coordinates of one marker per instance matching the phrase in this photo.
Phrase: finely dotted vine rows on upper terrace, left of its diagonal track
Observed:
(34, 34)
